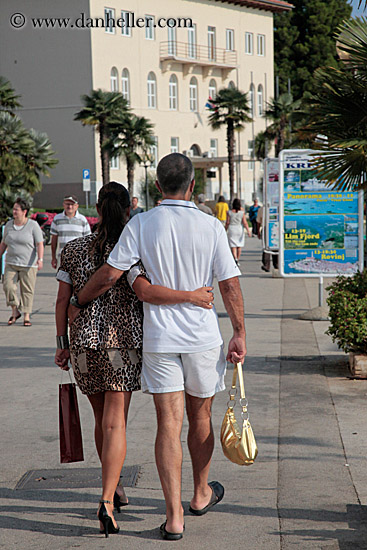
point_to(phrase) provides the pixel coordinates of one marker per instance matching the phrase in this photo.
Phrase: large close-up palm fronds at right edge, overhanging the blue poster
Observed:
(338, 112)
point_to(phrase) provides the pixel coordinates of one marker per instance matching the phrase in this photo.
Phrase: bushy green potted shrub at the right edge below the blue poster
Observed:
(347, 303)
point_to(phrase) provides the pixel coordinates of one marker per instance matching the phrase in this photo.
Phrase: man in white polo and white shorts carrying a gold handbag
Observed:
(182, 349)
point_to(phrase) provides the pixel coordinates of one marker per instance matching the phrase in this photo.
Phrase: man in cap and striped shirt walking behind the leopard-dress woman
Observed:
(67, 226)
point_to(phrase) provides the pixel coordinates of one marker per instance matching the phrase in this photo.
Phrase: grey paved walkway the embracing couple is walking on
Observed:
(307, 489)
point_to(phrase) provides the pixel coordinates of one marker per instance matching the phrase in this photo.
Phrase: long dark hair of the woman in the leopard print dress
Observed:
(113, 199)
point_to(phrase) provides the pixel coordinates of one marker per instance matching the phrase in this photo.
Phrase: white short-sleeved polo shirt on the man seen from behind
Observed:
(184, 249)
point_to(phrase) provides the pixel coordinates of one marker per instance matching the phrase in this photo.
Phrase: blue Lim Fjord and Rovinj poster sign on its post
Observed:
(321, 230)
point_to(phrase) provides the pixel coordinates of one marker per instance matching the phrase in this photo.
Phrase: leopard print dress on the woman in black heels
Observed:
(106, 338)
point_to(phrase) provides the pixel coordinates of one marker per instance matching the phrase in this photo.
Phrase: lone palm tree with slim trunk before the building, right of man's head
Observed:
(230, 108)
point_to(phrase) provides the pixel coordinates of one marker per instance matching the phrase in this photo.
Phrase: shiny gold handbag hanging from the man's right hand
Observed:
(238, 446)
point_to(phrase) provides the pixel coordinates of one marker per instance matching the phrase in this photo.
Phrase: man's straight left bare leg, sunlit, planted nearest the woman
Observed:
(168, 454)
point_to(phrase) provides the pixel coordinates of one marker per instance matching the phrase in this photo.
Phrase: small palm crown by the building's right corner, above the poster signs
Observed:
(280, 112)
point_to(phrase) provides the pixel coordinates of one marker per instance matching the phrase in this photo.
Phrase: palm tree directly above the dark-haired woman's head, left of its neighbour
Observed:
(100, 110)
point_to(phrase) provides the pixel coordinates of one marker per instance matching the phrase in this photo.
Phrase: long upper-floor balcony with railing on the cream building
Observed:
(190, 54)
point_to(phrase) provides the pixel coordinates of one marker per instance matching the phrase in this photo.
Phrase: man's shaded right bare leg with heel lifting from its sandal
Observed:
(200, 441)
